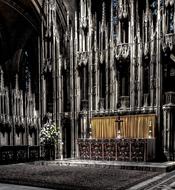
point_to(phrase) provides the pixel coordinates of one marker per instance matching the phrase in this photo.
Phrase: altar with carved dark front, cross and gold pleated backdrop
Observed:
(128, 138)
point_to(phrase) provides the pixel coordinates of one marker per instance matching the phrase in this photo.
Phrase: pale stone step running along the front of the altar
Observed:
(143, 166)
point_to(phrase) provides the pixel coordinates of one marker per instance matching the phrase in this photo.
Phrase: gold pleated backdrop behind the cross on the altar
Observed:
(132, 126)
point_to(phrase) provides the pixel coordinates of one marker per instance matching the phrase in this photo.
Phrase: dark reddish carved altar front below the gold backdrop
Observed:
(138, 150)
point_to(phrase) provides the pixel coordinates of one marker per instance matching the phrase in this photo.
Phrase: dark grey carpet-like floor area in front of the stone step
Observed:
(74, 177)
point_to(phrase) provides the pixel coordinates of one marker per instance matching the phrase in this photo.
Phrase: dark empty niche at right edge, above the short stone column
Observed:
(169, 72)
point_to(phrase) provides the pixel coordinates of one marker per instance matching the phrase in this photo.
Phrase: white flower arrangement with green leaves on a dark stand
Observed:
(49, 133)
